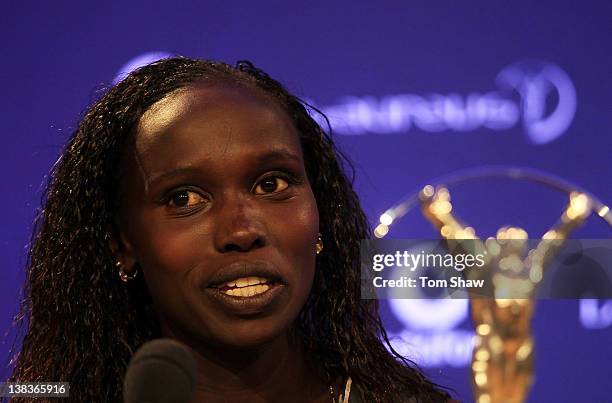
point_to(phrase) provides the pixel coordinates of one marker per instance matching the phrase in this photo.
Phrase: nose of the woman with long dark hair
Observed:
(239, 228)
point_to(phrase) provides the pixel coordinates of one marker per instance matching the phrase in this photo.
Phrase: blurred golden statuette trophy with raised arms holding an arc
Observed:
(502, 359)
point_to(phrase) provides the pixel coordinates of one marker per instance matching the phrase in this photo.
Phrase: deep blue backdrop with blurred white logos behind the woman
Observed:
(414, 90)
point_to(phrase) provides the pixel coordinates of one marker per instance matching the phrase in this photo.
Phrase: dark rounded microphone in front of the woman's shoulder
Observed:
(162, 370)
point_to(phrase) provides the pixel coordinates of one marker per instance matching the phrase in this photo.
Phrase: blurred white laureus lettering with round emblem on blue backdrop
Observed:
(538, 96)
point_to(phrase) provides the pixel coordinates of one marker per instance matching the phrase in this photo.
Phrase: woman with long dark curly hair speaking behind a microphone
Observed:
(201, 202)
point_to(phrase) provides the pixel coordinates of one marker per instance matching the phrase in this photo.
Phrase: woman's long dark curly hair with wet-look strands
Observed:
(82, 325)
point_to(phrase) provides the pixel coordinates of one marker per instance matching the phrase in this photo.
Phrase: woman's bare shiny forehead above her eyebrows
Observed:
(212, 124)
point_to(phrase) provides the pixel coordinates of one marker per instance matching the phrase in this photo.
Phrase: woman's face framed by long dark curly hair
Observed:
(218, 211)
